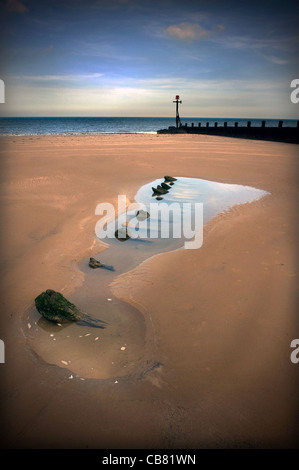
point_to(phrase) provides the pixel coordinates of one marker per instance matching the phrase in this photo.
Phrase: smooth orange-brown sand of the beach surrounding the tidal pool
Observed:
(212, 367)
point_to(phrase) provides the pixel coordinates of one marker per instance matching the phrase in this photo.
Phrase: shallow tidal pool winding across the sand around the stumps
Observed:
(118, 349)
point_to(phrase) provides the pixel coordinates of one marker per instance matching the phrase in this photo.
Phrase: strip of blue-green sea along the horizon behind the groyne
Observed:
(19, 126)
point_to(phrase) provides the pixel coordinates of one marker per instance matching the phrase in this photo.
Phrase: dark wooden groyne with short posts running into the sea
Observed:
(278, 134)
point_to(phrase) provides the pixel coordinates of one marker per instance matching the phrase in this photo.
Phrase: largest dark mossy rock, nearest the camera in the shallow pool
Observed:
(56, 308)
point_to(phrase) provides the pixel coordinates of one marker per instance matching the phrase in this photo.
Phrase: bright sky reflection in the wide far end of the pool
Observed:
(163, 227)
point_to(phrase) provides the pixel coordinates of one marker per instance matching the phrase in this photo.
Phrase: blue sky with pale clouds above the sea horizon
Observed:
(130, 58)
